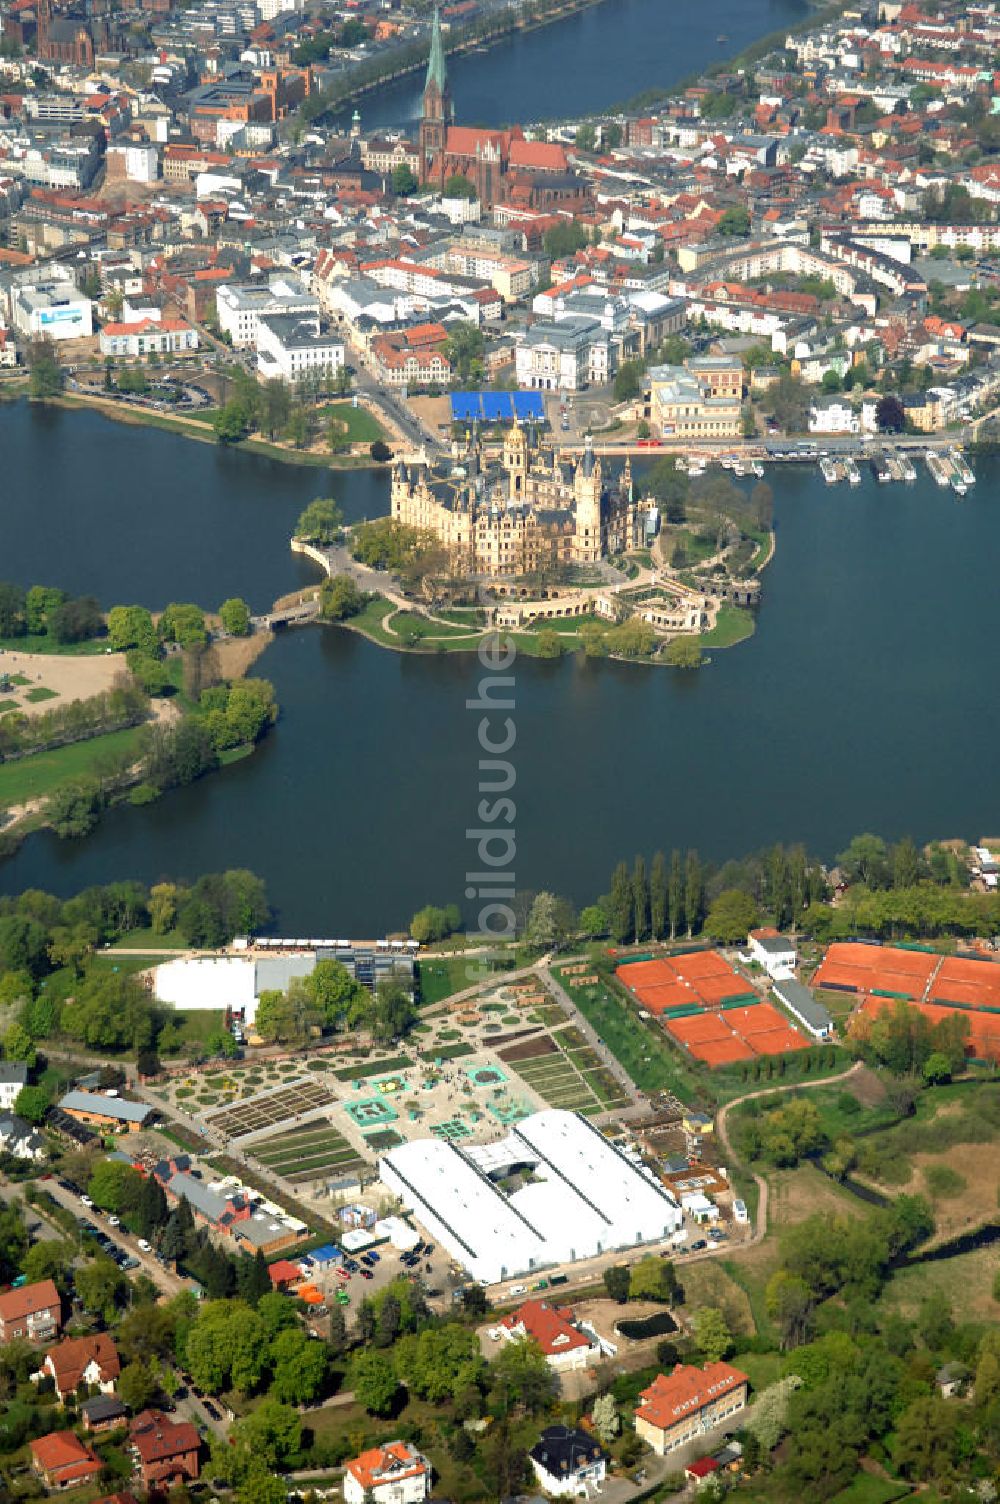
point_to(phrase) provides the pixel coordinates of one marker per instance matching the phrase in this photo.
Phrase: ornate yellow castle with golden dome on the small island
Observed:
(532, 512)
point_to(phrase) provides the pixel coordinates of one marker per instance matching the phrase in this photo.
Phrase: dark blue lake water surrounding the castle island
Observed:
(867, 699)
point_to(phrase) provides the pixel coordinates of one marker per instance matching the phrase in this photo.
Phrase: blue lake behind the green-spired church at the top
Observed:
(589, 62)
